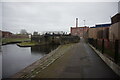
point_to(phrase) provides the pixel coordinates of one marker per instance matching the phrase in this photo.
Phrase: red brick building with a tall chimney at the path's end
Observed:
(78, 31)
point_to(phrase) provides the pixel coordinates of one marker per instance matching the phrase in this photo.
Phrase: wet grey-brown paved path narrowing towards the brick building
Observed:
(79, 62)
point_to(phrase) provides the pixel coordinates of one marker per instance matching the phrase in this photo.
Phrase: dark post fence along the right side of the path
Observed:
(111, 49)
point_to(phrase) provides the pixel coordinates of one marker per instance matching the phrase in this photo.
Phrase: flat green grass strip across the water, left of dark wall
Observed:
(12, 40)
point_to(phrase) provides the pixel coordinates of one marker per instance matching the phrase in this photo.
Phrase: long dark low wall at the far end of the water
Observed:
(55, 39)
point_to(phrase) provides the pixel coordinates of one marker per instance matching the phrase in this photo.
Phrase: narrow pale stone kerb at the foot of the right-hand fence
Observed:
(110, 63)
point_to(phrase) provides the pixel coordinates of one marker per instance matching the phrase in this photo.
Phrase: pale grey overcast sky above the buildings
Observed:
(51, 16)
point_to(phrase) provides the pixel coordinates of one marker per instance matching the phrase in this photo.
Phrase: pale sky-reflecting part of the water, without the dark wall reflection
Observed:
(17, 58)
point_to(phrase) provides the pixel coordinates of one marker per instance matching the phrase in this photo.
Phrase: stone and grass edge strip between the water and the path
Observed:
(35, 68)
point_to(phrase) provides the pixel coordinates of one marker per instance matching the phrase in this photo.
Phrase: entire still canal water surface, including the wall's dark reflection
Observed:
(15, 58)
